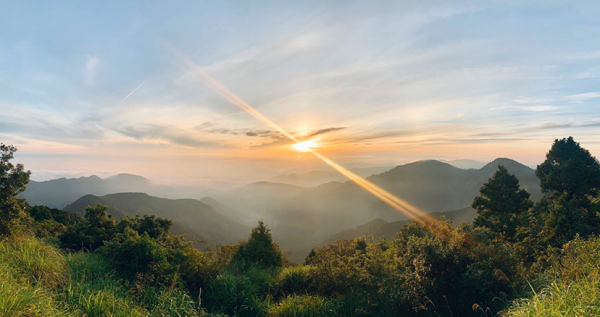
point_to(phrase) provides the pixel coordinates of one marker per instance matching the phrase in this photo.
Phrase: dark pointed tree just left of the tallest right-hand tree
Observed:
(502, 204)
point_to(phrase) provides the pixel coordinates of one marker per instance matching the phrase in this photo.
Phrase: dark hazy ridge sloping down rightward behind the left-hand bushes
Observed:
(189, 216)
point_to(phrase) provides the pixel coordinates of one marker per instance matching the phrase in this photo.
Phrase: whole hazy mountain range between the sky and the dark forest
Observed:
(299, 216)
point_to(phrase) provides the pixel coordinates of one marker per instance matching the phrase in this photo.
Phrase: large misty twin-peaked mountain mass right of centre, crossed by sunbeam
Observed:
(300, 218)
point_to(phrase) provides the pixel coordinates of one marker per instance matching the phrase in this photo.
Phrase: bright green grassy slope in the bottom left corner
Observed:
(37, 279)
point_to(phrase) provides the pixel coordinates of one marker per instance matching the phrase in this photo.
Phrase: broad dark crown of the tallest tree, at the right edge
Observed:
(569, 169)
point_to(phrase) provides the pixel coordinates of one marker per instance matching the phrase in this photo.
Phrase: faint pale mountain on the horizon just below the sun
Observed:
(315, 178)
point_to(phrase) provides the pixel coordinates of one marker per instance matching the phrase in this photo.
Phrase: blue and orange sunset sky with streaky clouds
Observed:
(102, 87)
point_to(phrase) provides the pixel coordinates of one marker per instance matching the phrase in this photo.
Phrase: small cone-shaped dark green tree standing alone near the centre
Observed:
(259, 250)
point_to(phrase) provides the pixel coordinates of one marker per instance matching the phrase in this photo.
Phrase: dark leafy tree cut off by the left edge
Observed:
(13, 179)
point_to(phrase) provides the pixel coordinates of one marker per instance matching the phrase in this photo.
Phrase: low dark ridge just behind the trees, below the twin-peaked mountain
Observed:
(379, 228)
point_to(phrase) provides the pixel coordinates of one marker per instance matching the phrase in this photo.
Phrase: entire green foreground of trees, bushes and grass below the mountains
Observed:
(517, 258)
